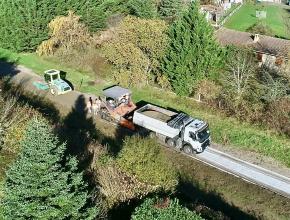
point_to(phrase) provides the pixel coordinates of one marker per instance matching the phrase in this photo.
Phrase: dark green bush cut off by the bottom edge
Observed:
(166, 209)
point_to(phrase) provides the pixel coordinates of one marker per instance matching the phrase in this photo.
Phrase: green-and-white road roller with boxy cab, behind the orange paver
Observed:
(54, 83)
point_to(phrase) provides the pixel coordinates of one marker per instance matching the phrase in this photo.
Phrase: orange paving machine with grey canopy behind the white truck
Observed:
(117, 106)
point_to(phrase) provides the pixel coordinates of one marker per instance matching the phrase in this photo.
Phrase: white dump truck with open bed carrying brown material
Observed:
(177, 130)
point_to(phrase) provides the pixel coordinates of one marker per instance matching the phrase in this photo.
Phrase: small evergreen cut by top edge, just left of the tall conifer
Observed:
(170, 8)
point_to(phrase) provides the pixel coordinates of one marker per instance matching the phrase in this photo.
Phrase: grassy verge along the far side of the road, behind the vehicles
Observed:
(225, 130)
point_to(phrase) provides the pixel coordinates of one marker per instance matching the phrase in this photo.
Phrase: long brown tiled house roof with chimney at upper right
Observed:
(265, 44)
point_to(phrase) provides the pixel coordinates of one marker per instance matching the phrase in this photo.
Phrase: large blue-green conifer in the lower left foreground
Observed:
(42, 184)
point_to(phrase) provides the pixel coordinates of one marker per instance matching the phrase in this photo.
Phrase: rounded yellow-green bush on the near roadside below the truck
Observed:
(142, 158)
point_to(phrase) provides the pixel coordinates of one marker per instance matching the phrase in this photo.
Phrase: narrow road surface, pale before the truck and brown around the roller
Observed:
(227, 163)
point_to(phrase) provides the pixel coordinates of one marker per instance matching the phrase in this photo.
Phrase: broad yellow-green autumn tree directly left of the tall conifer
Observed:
(135, 49)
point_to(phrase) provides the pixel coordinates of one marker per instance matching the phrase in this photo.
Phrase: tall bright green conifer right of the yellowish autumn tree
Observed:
(193, 54)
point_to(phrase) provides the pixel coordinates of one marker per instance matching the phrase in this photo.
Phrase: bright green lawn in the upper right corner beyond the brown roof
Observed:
(245, 17)
